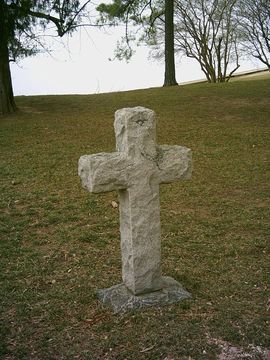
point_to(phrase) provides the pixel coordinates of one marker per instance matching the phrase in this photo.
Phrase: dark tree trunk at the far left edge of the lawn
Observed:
(7, 103)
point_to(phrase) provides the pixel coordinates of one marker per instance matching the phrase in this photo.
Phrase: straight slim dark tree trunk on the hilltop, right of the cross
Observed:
(169, 79)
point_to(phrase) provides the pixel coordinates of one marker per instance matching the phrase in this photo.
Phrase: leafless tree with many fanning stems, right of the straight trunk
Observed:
(205, 31)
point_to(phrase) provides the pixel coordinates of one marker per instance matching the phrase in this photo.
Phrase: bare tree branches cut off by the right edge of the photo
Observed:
(254, 24)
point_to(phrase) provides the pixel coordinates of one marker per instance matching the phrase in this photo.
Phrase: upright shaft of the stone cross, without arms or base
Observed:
(139, 203)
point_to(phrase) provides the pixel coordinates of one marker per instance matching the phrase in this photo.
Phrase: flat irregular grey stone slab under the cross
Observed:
(120, 299)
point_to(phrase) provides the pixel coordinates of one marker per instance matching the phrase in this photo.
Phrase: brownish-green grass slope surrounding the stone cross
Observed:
(59, 244)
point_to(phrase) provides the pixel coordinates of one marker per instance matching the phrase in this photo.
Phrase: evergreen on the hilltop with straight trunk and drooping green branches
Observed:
(143, 15)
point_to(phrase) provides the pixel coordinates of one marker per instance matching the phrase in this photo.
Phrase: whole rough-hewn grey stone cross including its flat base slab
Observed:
(135, 170)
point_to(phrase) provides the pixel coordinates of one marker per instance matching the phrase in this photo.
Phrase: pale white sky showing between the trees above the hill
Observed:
(85, 68)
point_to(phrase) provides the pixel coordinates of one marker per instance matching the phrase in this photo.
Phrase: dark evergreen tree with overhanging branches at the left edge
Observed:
(19, 21)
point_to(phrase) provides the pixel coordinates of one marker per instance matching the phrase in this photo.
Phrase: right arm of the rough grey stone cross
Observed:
(174, 163)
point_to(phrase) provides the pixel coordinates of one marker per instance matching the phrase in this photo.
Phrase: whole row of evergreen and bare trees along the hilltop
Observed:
(216, 33)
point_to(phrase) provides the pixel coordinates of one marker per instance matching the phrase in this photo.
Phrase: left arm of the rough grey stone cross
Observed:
(103, 172)
